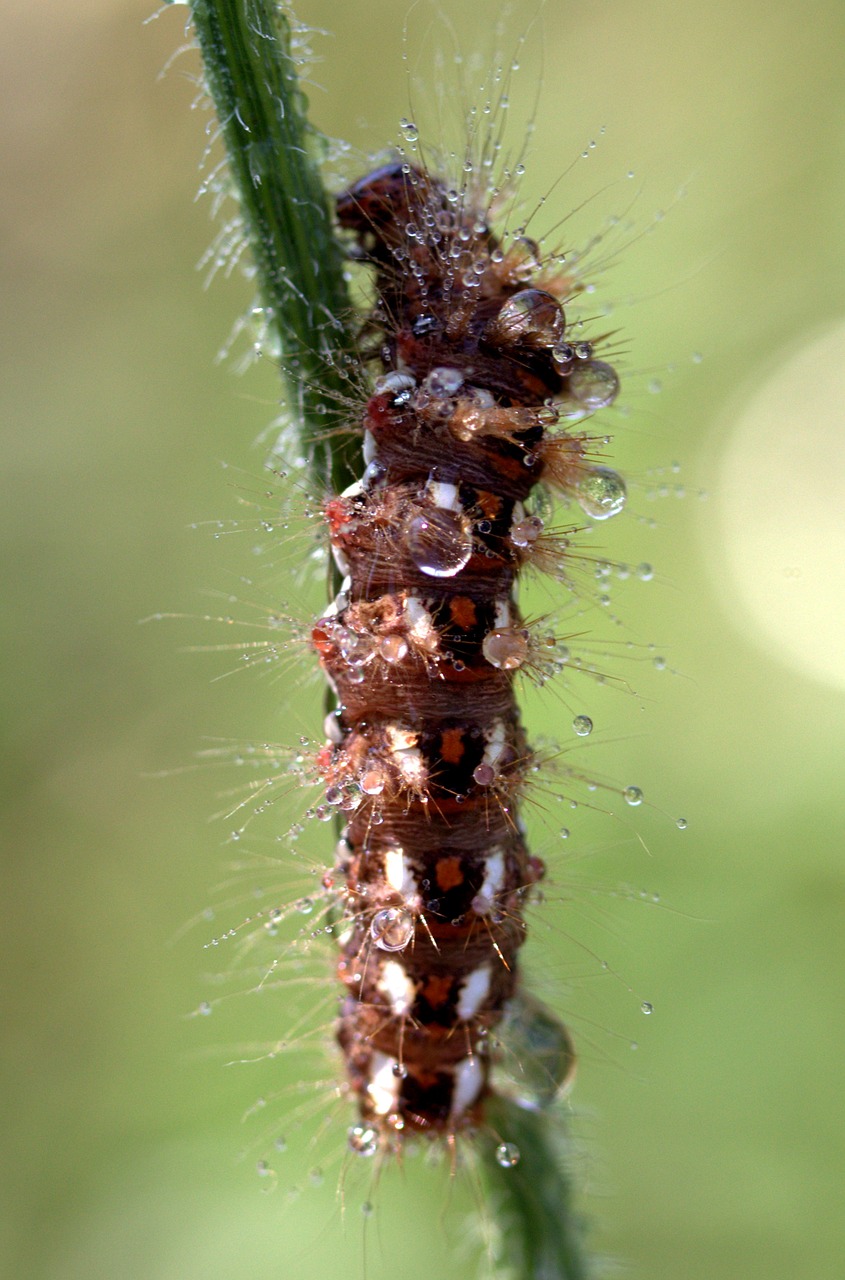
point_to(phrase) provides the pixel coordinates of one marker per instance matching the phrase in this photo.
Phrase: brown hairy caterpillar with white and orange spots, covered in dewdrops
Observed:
(426, 752)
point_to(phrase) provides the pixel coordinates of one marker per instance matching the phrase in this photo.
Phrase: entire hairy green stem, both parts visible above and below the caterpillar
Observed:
(271, 148)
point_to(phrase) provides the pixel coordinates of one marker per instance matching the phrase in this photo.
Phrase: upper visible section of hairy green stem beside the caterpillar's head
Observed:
(271, 148)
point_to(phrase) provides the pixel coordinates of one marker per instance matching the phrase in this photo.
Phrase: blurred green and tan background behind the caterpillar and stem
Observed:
(718, 1149)
